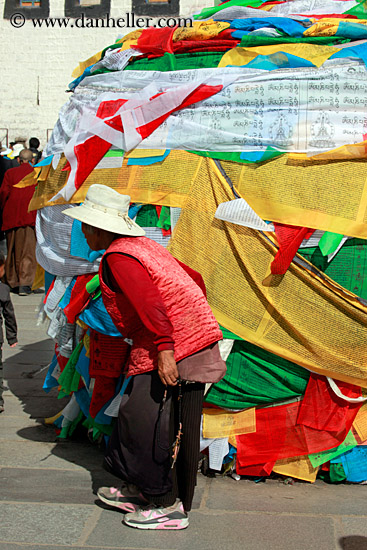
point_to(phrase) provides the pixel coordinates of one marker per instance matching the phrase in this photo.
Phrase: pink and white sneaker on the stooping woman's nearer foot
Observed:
(152, 517)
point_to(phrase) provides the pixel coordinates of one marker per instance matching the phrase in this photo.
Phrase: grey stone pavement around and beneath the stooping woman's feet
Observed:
(47, 488)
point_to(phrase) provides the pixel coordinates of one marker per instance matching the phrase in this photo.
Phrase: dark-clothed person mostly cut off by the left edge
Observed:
(6, 313)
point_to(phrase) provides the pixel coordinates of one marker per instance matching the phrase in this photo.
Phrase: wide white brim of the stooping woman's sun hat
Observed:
(105, 221)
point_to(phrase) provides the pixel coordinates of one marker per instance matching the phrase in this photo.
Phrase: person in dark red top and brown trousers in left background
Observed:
(18, 225)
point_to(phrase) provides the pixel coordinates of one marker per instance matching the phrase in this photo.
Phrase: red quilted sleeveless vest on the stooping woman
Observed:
(194, 324)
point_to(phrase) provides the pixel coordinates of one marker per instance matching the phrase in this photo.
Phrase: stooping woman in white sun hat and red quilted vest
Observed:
(160, 305)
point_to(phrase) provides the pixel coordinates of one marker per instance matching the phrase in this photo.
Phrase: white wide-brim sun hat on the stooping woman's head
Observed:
(106, 209)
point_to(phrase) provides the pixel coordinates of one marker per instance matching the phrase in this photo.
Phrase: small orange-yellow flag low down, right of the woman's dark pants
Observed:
(220, 423)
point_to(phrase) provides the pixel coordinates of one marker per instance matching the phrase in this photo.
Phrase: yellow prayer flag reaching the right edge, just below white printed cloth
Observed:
(331, 196)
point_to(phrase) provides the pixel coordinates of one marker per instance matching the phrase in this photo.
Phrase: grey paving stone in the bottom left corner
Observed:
(46, 524)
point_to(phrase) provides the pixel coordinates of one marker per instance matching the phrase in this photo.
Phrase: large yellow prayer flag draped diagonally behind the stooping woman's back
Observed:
(303, 318)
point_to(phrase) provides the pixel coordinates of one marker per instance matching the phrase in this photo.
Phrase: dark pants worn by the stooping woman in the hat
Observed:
(140, 448)
